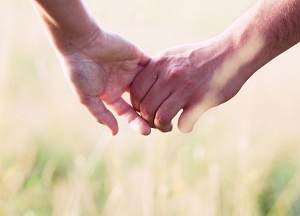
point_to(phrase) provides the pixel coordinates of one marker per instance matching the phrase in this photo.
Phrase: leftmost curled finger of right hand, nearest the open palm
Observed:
(142, 83)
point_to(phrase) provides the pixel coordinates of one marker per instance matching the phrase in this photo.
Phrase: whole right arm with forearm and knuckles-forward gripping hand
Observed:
(197, 77)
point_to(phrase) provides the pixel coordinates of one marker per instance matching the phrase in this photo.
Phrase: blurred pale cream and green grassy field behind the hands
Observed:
(242, 159)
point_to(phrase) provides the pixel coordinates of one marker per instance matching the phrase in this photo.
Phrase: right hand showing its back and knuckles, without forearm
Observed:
(191, 77)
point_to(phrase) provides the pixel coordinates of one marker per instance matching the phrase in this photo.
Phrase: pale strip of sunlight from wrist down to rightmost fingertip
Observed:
(223, 78)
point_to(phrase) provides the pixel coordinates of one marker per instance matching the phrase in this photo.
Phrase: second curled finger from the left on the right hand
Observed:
(152, 101)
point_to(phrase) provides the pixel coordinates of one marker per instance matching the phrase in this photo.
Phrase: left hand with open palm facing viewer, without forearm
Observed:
(100, 68)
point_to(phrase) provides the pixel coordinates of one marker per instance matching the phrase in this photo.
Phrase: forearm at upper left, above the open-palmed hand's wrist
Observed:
(67, 22)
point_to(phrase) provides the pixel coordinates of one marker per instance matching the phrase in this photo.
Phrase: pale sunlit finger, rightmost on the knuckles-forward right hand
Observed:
(192, 113)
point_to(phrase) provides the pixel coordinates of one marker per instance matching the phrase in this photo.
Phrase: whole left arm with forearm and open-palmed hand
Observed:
(99, 66)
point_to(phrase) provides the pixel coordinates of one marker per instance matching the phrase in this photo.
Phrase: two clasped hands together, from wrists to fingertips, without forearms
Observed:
(188, 77)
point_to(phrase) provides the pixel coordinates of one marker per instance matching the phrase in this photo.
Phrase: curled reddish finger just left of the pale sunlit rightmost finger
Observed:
(166, 112)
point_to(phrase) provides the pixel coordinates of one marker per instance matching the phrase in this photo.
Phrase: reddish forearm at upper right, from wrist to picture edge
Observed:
(268, 29)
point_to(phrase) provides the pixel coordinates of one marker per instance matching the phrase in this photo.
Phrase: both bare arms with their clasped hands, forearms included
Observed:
(101, 66)
